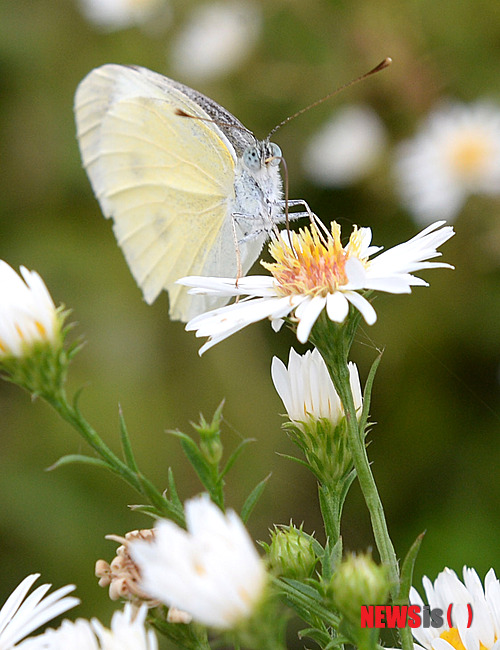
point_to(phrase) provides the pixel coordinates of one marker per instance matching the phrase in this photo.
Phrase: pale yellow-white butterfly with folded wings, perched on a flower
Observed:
(187, 196)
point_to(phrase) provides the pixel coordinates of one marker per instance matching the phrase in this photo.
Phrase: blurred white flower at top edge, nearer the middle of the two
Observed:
(216, 40)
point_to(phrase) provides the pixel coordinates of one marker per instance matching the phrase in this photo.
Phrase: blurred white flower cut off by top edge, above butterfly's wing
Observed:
(119, 14)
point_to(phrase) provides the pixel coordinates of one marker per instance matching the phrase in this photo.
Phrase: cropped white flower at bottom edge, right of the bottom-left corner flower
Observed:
(127, 633)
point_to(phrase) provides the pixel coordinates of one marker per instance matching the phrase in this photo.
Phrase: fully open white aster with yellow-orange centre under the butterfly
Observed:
(314, 273)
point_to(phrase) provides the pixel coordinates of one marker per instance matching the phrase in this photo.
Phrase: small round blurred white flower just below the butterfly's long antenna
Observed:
(346, 148)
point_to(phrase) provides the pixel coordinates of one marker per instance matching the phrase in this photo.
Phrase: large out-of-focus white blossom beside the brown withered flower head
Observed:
(212, 570)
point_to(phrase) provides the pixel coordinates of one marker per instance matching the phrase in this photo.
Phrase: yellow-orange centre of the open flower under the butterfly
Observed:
(313, 263)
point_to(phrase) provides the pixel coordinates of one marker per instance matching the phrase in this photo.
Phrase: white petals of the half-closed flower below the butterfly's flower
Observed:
(307, 391)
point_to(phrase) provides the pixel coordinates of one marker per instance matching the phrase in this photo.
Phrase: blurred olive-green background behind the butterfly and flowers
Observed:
(435, 447)
